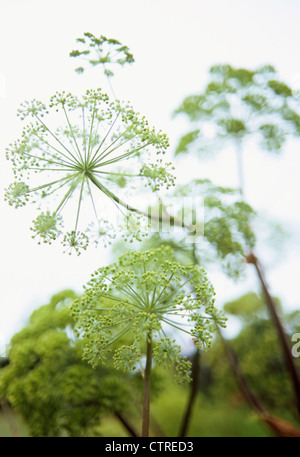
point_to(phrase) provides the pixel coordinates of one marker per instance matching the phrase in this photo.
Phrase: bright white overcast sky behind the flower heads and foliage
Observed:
(174, 43)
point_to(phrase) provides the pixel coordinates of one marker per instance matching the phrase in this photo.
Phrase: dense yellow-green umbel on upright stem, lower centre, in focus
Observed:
(144, 295)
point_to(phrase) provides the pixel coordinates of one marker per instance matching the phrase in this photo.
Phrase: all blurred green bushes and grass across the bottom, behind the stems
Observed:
(57, 394)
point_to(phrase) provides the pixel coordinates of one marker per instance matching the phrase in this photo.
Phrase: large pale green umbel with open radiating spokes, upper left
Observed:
(94, 138)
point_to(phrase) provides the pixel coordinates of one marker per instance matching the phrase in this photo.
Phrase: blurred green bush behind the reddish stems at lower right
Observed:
(259, 355)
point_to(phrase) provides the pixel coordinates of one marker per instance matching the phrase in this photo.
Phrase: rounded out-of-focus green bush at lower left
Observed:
(47, 383)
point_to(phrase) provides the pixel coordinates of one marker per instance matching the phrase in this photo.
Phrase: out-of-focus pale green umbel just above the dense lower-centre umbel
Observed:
(222, 226)
